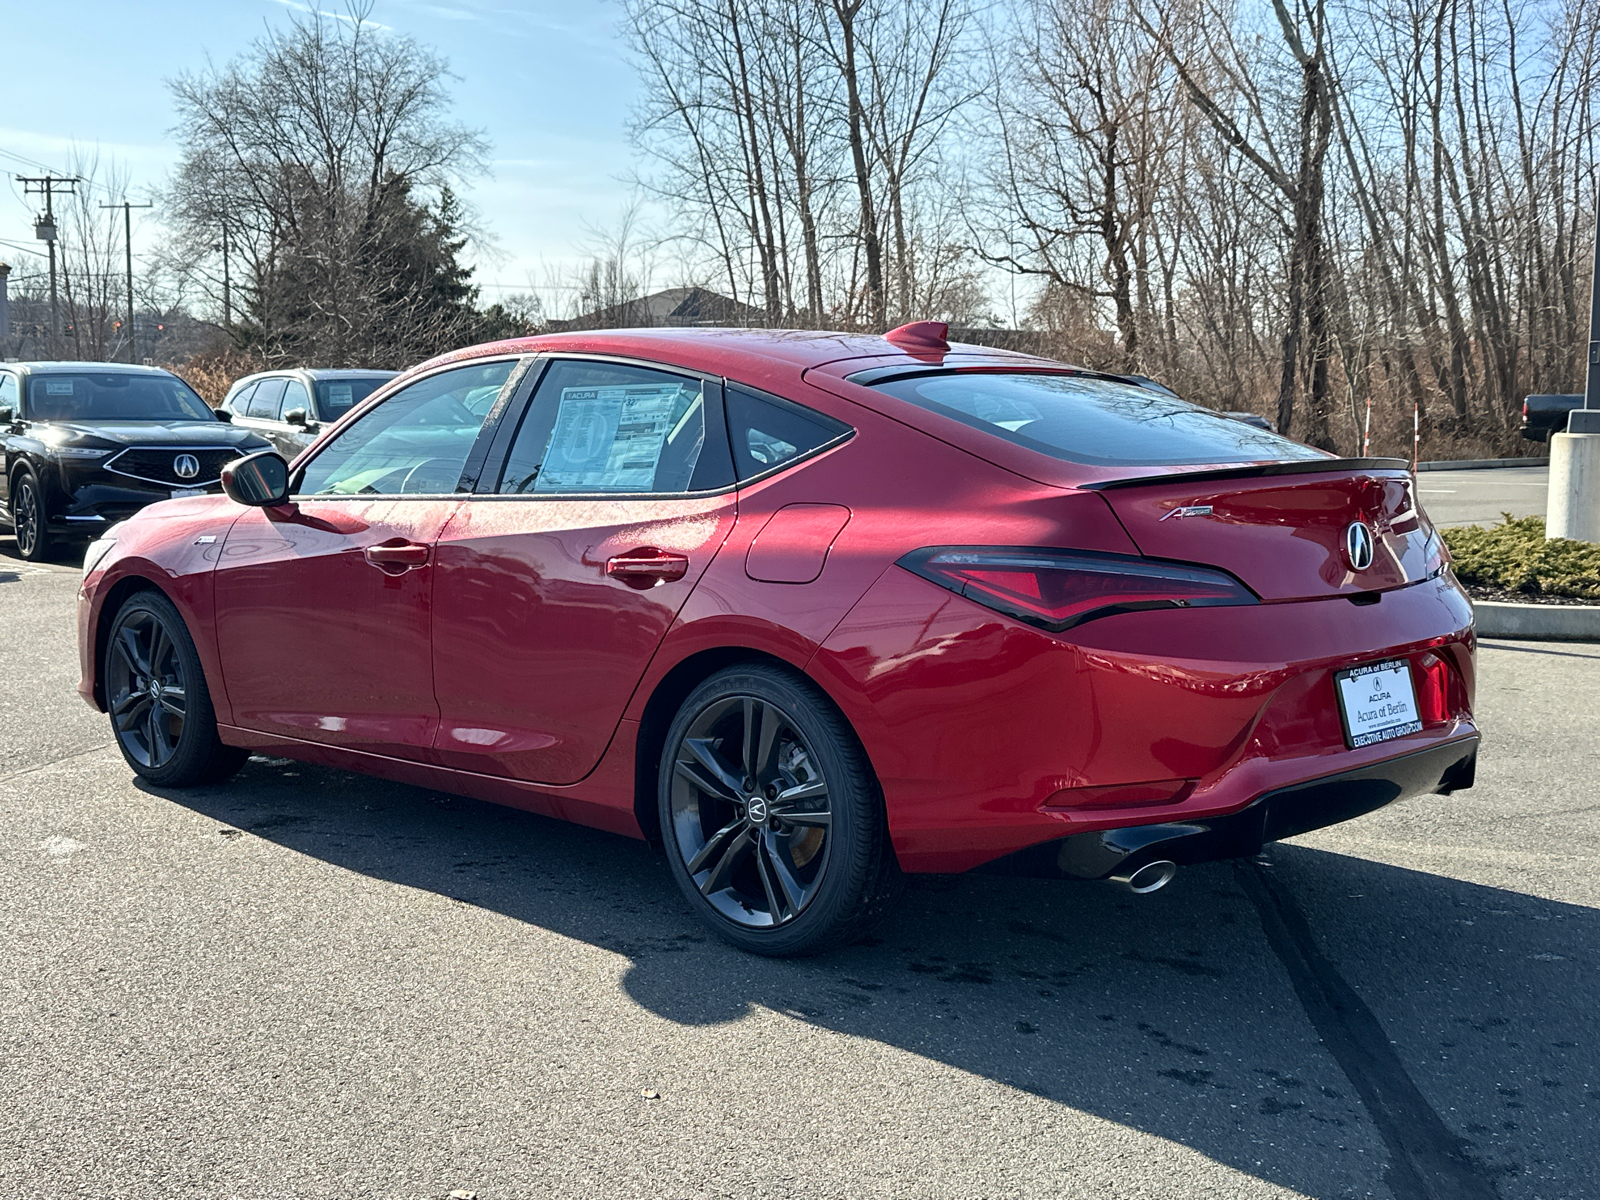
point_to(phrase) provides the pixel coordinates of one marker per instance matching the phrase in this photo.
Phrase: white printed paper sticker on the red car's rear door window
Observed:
(610, 439)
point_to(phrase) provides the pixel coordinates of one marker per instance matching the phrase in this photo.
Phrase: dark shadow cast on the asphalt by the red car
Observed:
(1167, 1014)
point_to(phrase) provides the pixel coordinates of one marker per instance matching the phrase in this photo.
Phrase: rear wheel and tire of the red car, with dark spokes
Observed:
(772, 817)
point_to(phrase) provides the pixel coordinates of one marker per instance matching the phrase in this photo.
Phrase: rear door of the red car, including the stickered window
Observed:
(561, 577)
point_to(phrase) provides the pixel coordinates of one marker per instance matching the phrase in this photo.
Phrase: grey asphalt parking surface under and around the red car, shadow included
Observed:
(314, 985)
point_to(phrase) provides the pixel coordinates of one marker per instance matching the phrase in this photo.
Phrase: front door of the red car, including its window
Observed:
(326, 604)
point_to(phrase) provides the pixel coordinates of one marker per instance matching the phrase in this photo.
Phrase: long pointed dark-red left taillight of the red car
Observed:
(1058, 590)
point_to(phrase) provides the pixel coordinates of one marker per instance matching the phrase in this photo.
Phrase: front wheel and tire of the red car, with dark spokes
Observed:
(156, 694)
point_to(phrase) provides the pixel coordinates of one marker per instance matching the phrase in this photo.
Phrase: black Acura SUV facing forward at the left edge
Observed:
(84, 446)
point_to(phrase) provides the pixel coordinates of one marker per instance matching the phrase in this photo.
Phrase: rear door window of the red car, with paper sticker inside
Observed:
(612, 428)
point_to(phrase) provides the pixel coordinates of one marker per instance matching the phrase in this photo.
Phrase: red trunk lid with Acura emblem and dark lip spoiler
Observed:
(1289, 537)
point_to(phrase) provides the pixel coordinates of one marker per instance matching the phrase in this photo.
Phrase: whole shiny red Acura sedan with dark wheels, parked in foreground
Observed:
(814, 610)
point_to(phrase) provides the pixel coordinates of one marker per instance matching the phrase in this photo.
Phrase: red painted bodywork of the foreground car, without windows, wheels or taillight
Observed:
(514, 668)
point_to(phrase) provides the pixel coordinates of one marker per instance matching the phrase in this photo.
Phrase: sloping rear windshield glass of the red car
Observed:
(1095, 422)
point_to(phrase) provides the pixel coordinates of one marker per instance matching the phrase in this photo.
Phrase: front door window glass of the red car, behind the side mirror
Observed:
(415, 442)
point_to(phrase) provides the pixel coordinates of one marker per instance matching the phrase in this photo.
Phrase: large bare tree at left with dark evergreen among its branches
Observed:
(322, 161)
